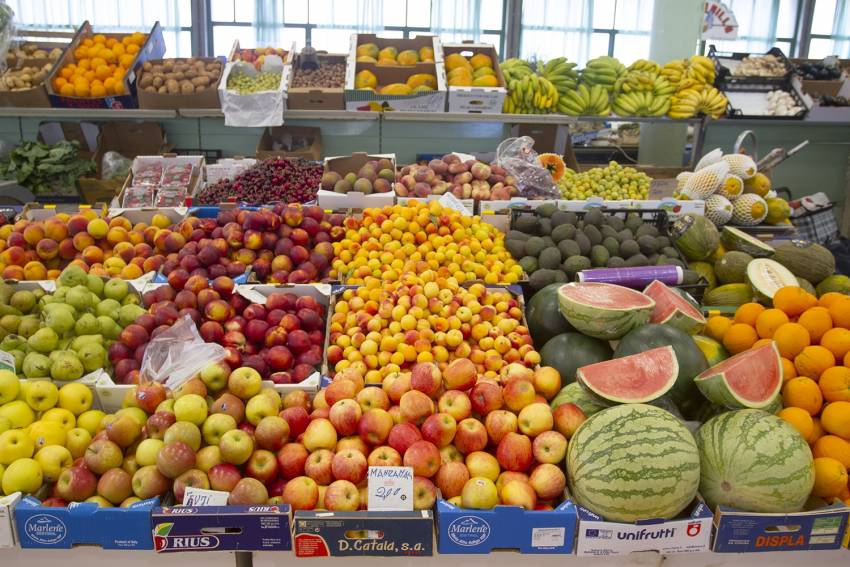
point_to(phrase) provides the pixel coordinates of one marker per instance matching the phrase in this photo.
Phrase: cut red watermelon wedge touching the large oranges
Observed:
(750, 379)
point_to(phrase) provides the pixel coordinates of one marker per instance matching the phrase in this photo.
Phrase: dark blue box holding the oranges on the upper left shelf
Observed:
(153, 48)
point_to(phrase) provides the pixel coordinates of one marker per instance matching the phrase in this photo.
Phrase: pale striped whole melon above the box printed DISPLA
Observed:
(754, 461)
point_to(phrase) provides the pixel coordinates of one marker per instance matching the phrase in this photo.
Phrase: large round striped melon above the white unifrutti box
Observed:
(632, 462)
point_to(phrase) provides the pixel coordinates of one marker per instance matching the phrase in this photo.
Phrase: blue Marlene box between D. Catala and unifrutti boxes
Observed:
(461, 530)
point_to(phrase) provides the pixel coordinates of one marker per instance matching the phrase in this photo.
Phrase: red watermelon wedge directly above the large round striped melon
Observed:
(634, 379)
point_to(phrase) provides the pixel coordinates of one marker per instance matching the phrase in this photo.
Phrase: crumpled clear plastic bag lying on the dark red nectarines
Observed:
(175, 355)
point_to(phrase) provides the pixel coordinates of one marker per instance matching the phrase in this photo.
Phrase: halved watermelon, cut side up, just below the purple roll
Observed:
(602, 310)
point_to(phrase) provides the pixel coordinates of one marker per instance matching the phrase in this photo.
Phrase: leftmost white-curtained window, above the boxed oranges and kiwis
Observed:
(126, 16)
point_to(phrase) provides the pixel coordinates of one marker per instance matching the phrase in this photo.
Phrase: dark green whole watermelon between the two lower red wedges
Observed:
(691, 359)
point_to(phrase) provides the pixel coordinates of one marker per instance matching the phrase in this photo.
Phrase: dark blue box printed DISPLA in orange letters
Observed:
(740, 532)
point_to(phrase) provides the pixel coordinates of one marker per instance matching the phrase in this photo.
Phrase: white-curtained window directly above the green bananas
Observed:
(584, 29)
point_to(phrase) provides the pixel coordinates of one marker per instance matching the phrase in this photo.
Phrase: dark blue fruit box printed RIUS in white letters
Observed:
(222, 528)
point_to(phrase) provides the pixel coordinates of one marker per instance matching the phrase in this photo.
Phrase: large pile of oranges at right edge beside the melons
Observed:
(813, 337)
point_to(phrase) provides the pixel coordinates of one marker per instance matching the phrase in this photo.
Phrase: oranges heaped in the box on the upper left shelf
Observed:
(101, 63)
